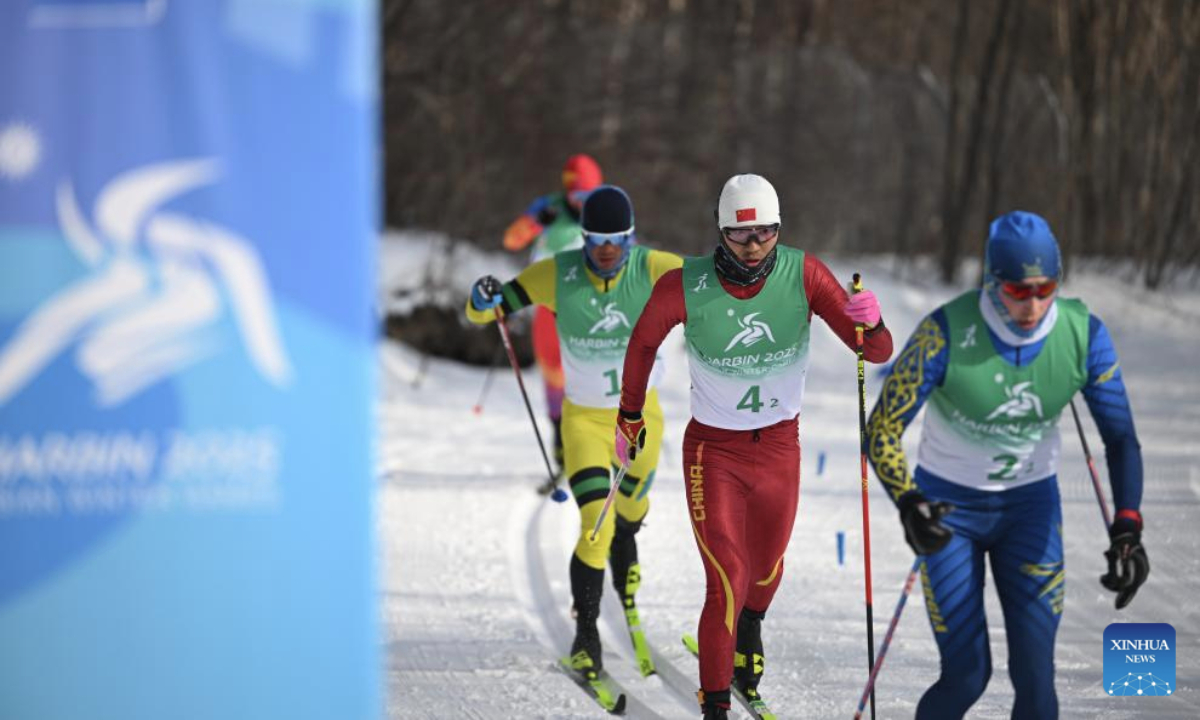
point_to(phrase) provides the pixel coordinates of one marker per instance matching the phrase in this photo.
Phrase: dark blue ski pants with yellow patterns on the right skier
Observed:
(1021, 532)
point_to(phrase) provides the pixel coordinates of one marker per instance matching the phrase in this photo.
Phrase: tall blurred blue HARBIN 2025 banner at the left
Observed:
(188, 238)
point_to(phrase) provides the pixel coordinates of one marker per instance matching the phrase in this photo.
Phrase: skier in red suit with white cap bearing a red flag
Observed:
(747, 311)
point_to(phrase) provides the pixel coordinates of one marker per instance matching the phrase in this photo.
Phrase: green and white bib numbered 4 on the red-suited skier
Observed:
(748, 358)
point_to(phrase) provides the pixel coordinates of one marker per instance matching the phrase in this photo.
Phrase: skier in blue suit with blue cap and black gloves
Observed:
(998, 367)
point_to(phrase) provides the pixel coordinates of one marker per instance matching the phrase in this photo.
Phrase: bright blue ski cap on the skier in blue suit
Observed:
(1021, 245)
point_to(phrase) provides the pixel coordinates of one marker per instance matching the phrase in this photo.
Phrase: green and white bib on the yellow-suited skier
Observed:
(595, 327)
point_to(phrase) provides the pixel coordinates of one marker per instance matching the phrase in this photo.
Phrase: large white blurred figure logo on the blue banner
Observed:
(143, 313)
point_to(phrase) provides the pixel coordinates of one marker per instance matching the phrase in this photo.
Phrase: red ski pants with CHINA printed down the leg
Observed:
(743, 491)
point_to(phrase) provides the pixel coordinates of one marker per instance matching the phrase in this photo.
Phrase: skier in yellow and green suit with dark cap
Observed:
(598, 293)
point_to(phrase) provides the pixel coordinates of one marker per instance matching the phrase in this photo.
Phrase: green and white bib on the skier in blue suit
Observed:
(992, 425)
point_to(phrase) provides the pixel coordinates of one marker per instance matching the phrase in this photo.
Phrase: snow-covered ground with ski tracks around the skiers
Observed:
(475, 592)
